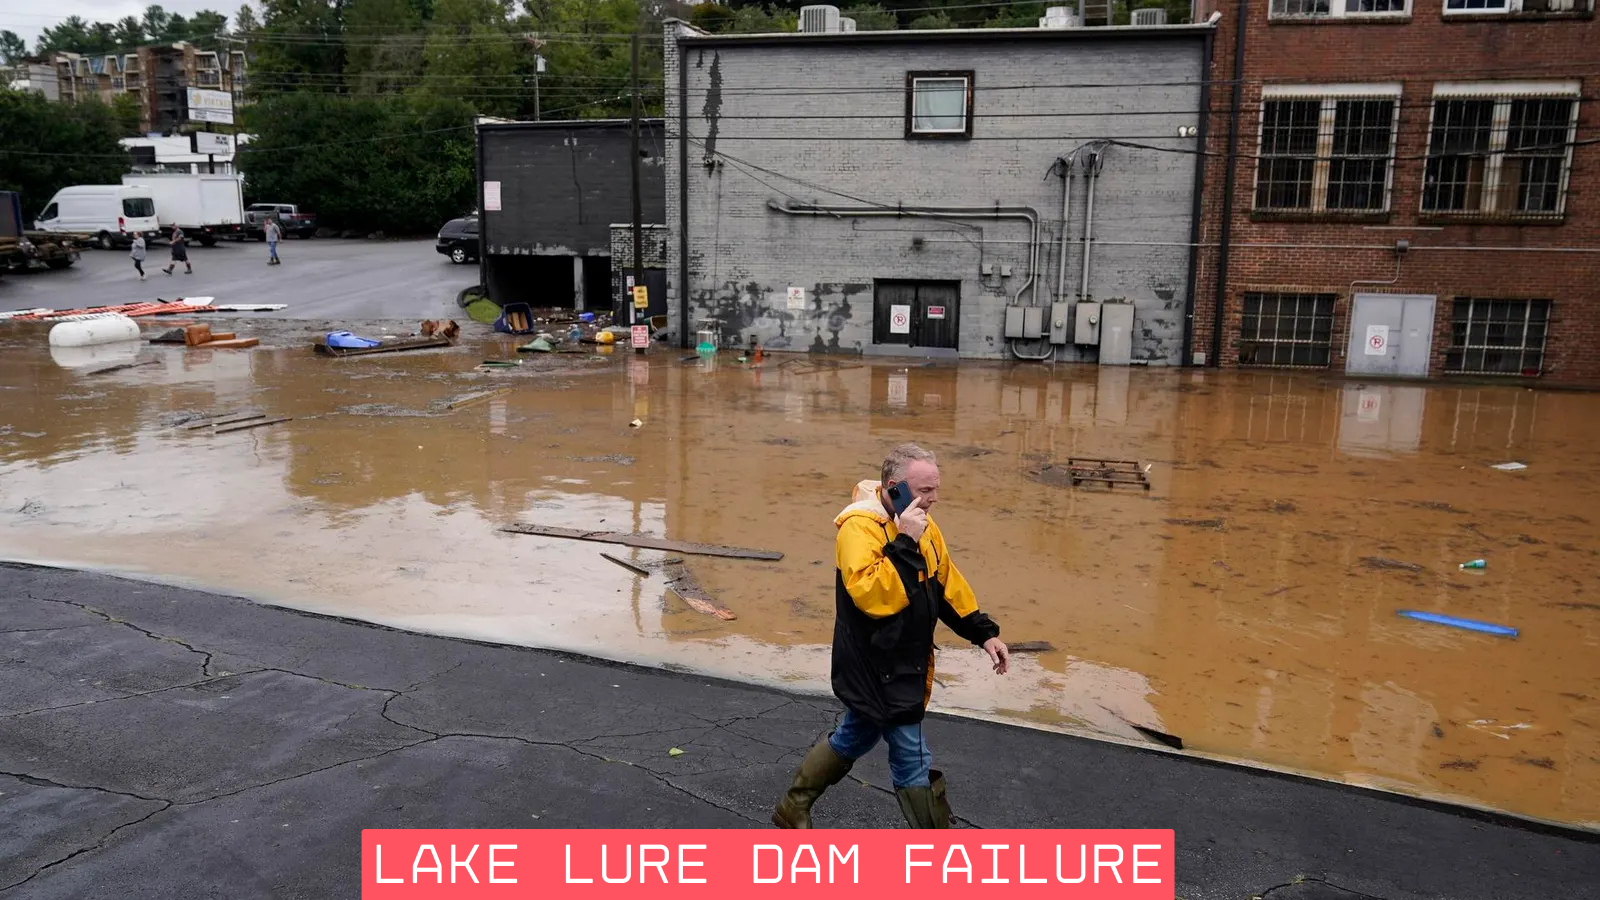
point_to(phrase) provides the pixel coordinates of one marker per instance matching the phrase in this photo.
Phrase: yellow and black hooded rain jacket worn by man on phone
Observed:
(889, 593)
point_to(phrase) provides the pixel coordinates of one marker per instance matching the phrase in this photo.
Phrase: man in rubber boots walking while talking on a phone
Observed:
(894, 581)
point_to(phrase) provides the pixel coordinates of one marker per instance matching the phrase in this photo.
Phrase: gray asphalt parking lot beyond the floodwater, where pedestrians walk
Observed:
(319, 279)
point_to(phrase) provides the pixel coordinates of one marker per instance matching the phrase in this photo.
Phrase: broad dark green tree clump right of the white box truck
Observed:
(394, 164)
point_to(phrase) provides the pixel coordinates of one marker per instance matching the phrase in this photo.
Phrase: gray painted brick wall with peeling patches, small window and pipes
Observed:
(823, 123)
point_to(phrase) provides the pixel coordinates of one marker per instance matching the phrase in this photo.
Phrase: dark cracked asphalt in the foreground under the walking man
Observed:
(159, 742)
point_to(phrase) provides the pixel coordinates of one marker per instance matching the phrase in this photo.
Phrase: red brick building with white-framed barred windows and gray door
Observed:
(1415, 188)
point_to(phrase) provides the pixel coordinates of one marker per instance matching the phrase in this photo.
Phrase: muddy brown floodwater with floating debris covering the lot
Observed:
(1247, 603)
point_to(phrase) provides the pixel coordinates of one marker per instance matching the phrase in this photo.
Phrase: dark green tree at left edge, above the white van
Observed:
(47, 147)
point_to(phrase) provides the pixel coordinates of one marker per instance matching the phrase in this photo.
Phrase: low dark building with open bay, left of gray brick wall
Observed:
(550, 195)
